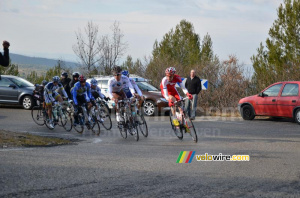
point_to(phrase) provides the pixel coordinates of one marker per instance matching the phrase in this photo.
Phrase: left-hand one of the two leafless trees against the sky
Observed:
(86, 48)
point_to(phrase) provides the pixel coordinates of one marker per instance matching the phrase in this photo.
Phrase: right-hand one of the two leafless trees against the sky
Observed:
(111, 49)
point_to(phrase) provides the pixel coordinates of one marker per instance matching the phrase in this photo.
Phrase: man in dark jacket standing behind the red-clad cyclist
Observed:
(193, 85)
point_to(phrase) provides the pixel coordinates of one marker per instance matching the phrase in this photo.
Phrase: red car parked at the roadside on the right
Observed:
(278, 100)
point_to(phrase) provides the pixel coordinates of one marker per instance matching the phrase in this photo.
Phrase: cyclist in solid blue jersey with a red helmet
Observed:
(81, 93)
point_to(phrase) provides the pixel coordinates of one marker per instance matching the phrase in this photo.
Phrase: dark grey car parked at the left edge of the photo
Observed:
(16, 90)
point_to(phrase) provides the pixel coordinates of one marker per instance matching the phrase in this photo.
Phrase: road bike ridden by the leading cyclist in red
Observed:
(185, 123)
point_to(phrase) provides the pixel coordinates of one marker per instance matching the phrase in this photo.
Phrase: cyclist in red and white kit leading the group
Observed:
(169, 91)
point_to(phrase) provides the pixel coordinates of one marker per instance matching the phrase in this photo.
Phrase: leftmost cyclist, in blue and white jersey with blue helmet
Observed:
(51, 95)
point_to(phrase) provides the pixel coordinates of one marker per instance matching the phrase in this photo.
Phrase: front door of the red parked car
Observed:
(267, 103)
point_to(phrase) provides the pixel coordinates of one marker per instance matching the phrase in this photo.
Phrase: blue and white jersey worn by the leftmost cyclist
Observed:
(51, 92)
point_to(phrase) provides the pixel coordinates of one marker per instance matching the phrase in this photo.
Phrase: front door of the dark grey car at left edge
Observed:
(8, 93)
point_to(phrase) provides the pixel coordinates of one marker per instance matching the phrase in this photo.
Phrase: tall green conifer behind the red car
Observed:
(279, 60)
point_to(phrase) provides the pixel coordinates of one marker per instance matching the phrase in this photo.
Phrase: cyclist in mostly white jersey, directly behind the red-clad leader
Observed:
(115, 88)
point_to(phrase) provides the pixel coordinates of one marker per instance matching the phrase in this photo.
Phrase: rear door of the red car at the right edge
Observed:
(288, 100)
